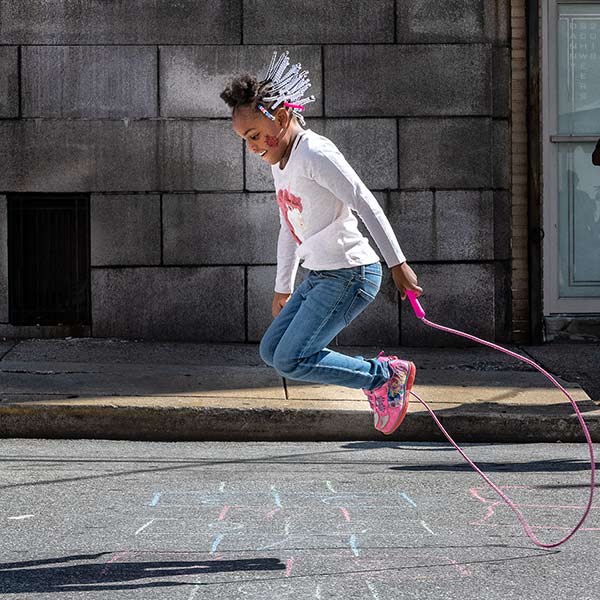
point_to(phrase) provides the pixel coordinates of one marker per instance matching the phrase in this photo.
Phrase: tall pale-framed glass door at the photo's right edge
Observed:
(571, 126)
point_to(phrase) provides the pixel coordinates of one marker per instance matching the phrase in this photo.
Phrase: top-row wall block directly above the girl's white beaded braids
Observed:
(317, 22)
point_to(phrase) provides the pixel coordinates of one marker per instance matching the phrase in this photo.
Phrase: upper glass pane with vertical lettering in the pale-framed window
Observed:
(579, 68)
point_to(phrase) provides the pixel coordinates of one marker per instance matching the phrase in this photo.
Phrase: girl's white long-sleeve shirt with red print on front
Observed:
(317, 192)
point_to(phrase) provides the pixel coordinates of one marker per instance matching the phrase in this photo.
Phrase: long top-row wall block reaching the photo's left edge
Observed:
(132, 22)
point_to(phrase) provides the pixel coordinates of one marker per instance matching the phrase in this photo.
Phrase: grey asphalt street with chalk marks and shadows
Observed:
(100, 519)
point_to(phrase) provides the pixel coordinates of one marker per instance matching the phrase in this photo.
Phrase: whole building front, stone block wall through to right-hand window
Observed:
(129, 208)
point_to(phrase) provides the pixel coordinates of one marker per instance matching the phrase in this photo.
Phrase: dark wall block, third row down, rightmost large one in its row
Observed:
(445, 153)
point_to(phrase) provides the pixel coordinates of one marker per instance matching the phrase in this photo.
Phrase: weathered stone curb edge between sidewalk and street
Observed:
(201, 423)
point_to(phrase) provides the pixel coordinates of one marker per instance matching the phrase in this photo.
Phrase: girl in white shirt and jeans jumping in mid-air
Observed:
(317, 192)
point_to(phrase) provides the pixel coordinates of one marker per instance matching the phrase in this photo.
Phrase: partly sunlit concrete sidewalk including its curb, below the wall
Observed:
(122, 389)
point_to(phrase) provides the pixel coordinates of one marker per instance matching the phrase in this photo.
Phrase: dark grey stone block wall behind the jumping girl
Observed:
(121, 100)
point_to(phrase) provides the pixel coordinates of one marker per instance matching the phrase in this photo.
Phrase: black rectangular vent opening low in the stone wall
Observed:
(48, 259)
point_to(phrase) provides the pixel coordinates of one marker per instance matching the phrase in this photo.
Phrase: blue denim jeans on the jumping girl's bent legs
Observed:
(324, 303)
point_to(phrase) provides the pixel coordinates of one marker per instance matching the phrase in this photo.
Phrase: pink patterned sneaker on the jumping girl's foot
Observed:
(389, 401)
